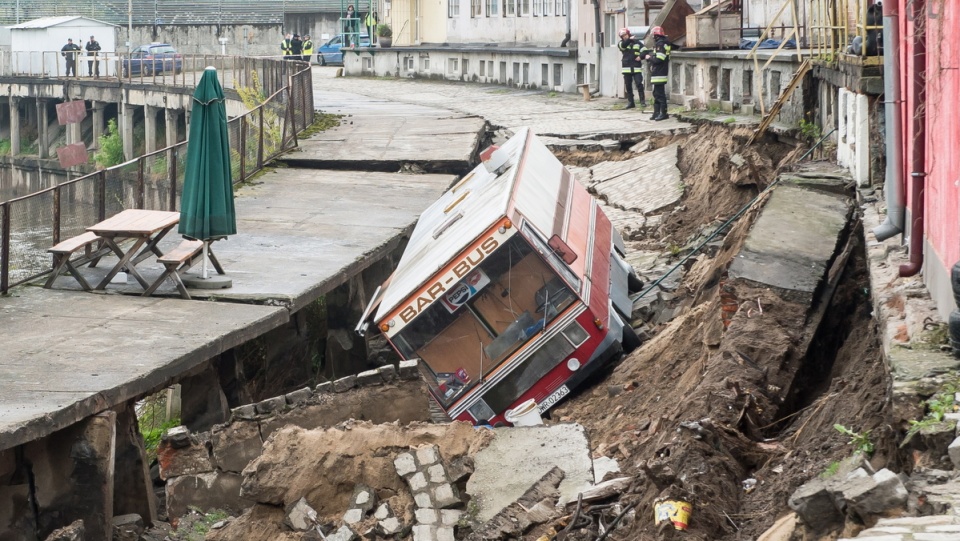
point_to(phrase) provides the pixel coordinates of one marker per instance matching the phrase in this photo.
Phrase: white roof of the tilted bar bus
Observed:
(479, 199)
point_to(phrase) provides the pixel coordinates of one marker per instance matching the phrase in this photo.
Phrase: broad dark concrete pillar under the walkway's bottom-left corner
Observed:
(73, 474)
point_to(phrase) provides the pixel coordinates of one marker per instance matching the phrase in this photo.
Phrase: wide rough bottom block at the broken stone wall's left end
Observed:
(214, 490)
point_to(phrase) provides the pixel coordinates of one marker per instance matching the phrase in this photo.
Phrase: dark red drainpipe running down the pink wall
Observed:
(917, 174)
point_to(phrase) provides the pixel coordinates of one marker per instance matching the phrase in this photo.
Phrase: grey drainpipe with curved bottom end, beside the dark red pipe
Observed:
(893, 180)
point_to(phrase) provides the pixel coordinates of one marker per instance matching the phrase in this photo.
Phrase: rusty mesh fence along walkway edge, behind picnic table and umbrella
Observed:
(31, 224)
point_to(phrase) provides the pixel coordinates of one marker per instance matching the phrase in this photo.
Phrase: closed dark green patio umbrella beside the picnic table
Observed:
(206, 206)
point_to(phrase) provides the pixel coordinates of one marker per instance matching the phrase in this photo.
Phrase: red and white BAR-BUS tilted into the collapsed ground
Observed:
(512, 287)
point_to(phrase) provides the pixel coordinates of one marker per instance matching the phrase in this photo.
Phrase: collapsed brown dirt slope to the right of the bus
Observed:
(734, 415)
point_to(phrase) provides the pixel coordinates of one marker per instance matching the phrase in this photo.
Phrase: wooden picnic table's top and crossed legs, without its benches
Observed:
(145, 227)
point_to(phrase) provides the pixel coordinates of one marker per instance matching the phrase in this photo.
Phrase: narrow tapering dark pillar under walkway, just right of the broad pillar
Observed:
(133, 488)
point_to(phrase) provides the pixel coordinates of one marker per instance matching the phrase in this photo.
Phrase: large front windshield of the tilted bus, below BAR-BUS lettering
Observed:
(501, 304)
